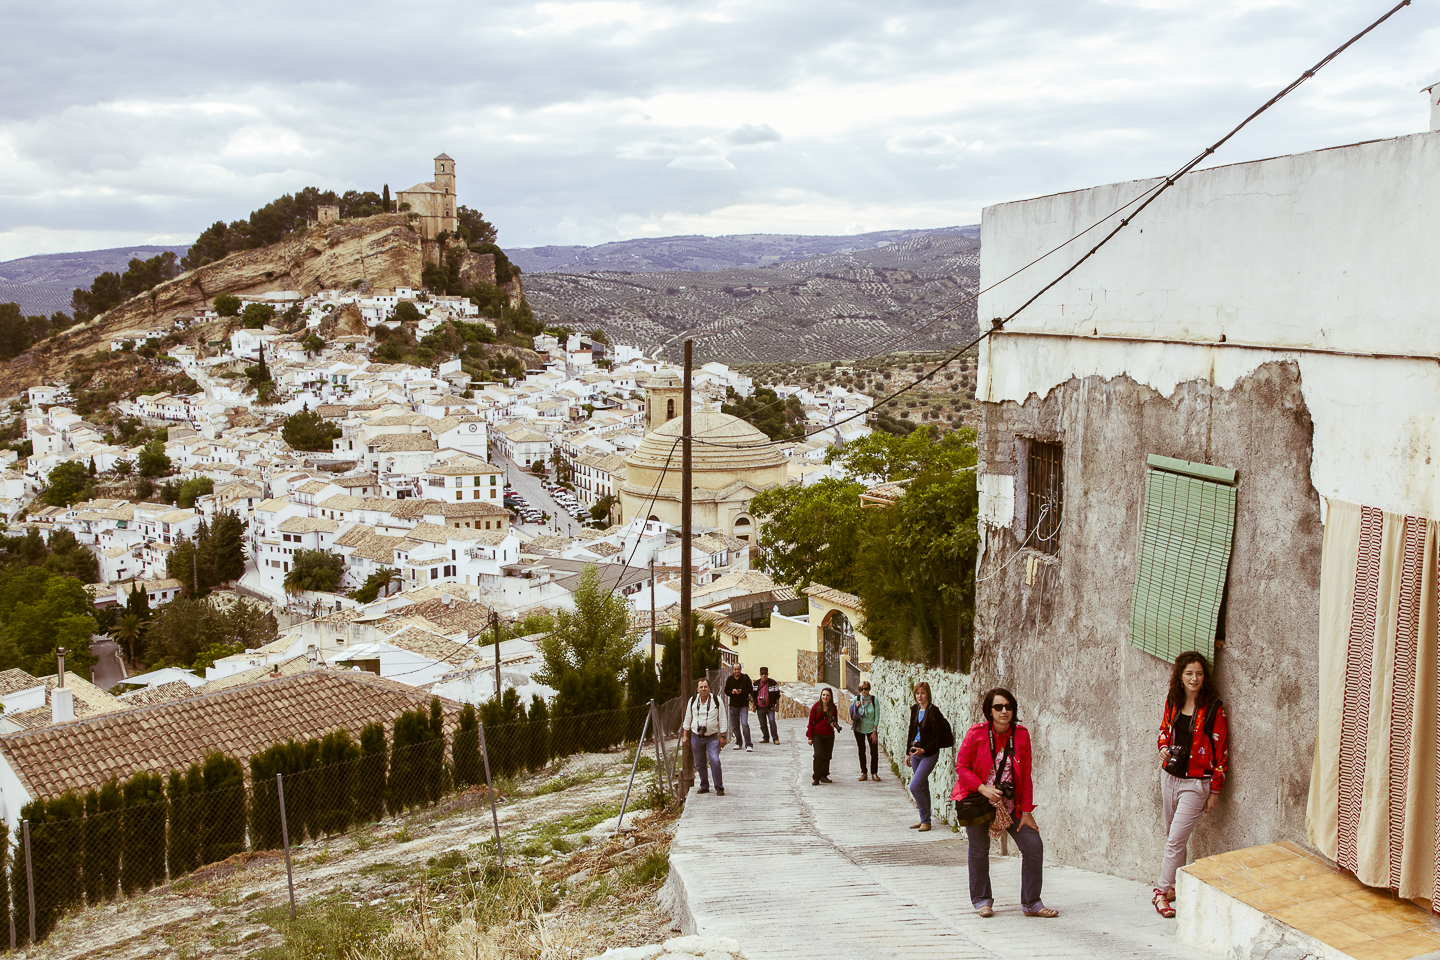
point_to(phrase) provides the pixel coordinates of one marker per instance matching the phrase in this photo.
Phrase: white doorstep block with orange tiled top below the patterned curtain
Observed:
(1252, 902)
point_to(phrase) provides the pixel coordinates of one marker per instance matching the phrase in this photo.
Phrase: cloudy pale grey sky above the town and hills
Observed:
(584, 123)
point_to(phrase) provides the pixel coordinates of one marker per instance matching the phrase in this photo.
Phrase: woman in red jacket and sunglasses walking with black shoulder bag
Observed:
(994, 762)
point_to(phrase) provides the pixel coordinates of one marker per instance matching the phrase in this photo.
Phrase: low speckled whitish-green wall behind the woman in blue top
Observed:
(892, 683)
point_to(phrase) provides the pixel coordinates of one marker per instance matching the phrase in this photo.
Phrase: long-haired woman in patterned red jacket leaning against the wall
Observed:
(1194, 746)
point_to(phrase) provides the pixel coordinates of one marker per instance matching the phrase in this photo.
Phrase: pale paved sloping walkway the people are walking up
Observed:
(797, 871)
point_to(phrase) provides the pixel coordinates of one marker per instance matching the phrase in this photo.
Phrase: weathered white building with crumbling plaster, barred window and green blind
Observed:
(1169, 438)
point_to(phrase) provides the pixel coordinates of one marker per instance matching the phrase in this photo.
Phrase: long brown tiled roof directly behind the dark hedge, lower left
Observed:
(240, 722)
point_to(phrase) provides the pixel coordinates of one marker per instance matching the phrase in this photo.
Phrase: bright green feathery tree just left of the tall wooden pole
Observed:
(595, 635)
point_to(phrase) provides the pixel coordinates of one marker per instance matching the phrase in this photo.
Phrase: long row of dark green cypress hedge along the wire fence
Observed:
(126, 838)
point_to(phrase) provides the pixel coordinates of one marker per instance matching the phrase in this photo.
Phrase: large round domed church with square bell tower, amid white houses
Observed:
(731, 463)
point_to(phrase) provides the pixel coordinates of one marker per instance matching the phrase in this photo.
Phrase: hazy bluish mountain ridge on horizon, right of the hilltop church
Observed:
(701, 254)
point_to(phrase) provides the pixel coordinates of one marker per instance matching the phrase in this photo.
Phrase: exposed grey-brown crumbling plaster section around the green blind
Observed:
(1061, 641)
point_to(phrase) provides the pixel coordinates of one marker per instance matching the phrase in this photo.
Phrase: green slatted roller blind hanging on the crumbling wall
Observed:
(1186, 538)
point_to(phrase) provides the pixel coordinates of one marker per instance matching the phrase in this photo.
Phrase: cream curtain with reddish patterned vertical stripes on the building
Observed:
(1376, 784)
